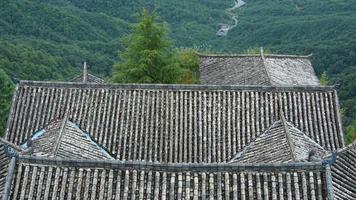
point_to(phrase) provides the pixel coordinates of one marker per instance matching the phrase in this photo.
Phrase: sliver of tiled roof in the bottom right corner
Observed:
(344, 173)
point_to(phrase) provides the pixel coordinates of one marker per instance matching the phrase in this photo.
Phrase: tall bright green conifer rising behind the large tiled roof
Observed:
(149, 56)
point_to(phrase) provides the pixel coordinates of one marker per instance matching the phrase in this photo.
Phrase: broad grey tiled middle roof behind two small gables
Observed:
(175, 123)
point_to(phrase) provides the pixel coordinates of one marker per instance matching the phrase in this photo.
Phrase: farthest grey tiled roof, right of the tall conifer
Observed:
(275, 70)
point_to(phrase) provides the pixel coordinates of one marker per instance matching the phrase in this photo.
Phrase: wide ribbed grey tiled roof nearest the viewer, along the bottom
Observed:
(76, 179)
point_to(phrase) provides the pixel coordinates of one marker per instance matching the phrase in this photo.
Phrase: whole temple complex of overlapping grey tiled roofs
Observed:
(259, 127)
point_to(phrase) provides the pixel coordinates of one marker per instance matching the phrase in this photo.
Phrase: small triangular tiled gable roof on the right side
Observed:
(282, 142)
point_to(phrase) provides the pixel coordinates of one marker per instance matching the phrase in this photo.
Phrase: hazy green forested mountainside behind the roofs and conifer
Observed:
(49, 39)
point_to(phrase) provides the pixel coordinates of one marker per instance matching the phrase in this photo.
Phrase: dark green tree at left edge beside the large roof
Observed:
(6, 90)
